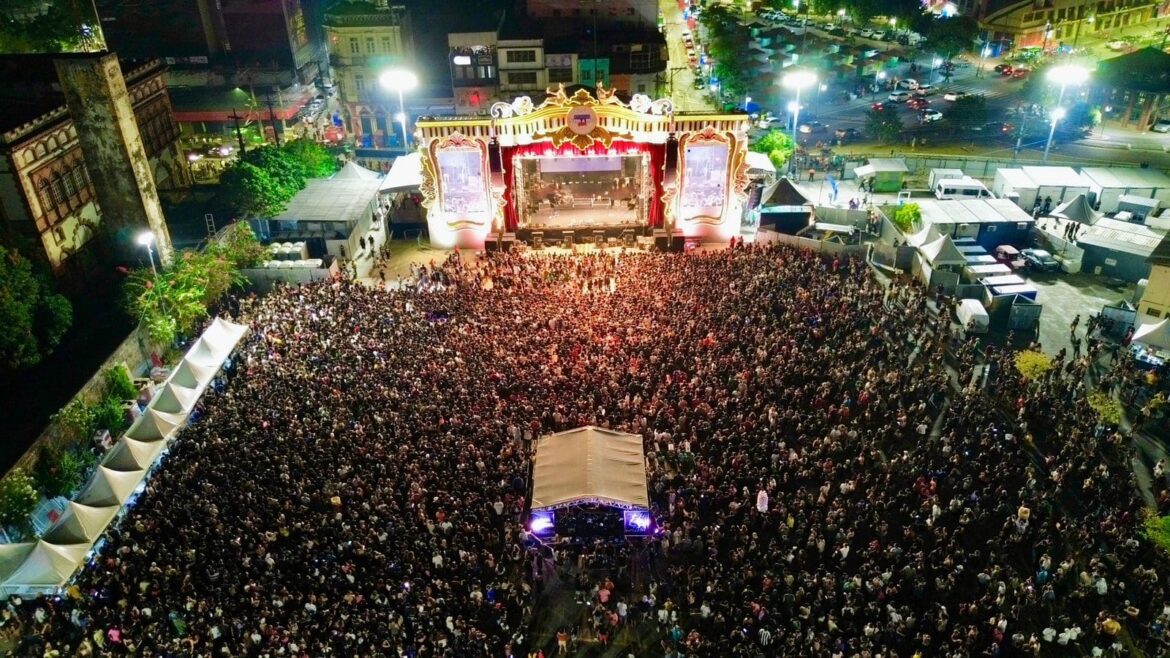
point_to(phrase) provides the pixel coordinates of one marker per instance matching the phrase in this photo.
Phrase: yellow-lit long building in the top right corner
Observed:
(1051, 24)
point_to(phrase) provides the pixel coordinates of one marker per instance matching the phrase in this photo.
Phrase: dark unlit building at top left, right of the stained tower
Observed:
(217, 43)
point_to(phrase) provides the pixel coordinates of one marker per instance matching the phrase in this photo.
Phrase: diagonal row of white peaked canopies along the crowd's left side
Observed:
(50, 563)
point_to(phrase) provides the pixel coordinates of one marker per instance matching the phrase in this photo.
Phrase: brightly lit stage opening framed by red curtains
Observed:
(582, 193)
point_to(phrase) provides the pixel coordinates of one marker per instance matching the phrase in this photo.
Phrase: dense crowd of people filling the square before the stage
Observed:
(827, 481)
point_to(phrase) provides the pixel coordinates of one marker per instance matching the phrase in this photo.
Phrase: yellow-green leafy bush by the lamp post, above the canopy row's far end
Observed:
(171, 304)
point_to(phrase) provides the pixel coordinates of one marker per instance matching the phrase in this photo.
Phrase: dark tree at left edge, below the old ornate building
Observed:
(35, 318)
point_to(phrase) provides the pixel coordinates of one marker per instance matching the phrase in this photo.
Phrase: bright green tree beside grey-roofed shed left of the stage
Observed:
(264, 180)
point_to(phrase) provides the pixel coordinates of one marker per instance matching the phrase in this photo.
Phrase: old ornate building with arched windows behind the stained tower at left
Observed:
(47, 195)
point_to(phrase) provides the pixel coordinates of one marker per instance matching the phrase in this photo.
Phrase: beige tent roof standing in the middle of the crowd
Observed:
(589, 465)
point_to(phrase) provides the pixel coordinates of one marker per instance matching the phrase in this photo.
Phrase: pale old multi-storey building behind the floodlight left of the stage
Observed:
(364, 40)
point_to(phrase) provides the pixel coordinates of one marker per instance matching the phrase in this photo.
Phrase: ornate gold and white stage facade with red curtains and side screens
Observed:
(583, 168)
